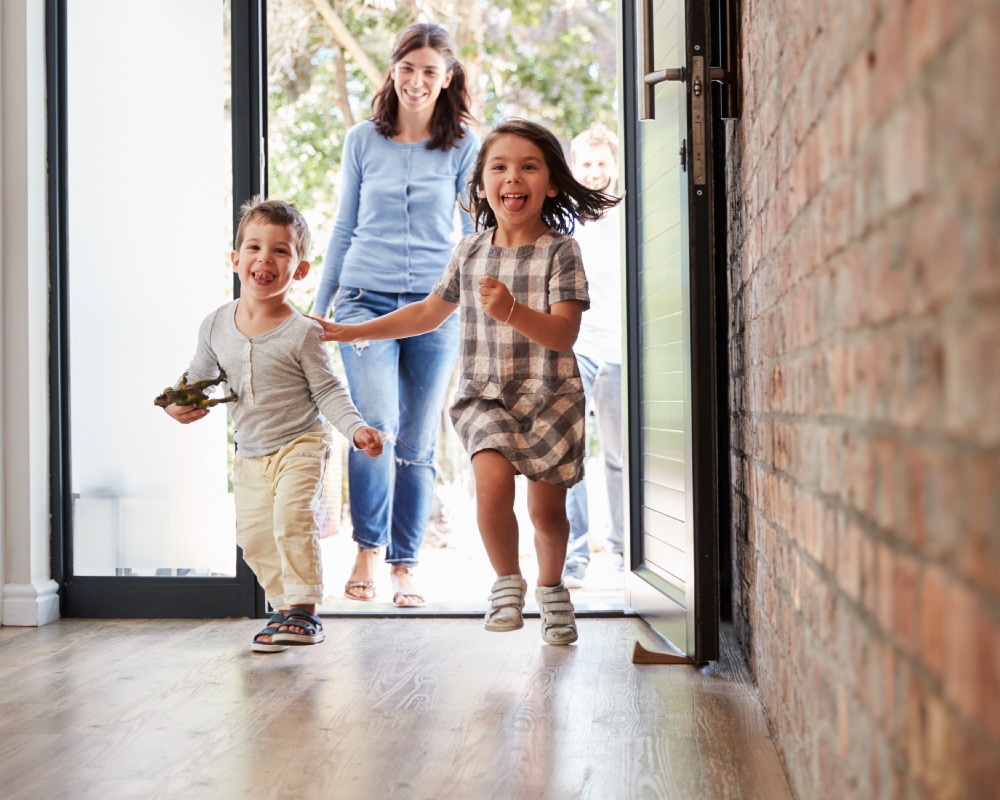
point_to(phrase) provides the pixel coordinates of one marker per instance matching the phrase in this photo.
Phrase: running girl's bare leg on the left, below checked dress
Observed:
(495, 510)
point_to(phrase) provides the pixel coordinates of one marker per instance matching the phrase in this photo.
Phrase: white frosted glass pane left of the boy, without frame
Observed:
(148, 201)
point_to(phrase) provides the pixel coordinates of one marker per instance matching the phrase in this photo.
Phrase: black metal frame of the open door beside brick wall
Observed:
(709, 327)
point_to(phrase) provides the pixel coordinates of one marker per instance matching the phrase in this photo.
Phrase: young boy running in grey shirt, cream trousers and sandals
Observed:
(276, 363)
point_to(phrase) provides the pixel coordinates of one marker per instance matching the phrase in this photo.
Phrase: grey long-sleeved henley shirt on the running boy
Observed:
(283, 378)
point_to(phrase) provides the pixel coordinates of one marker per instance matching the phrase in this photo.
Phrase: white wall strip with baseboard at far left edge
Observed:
(29, 594)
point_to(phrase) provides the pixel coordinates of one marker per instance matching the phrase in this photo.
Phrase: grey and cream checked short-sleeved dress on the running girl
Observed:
(516, 396)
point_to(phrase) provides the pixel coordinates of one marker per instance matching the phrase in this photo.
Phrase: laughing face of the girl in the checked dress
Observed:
(516, 181)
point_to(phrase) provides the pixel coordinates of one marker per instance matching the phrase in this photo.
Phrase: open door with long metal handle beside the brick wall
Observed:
(670, 387)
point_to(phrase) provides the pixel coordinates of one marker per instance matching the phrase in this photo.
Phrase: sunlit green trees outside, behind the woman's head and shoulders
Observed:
(554, 62)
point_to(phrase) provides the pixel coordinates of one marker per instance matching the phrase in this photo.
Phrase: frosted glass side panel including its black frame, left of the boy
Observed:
(142, 518)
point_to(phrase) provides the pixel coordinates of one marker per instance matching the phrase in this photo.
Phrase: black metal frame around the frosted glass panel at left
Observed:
(124, 596)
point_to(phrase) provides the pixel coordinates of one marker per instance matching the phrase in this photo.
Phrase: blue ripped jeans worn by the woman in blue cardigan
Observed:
(399, 386)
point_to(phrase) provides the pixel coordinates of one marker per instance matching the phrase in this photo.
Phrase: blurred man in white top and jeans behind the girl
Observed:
(594, 158)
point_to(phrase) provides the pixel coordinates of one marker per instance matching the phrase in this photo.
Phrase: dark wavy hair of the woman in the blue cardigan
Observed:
(452, 106)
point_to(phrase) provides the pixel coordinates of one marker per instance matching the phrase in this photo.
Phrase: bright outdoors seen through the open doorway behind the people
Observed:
(556, 64)
